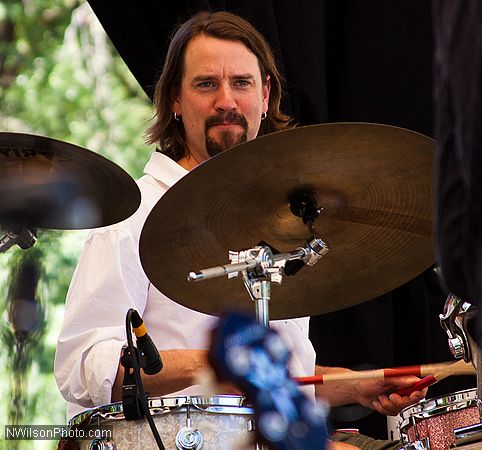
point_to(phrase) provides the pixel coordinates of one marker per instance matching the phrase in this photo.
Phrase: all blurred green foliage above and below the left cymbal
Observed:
(59, 77)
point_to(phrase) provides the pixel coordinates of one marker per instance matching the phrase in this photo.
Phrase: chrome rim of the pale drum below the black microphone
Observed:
(219, 404)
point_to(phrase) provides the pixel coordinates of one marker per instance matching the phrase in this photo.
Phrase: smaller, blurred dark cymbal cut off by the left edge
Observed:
(46, 183)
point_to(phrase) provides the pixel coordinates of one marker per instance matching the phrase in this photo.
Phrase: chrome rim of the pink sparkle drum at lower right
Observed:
(437, 405)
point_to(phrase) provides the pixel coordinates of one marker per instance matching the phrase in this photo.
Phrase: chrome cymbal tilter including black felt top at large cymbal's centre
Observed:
(259, 266)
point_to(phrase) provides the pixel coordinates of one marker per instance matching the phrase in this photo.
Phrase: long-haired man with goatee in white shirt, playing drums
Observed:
(219, 87)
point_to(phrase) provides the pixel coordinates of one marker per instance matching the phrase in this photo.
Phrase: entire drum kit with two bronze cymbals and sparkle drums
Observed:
(352, 201)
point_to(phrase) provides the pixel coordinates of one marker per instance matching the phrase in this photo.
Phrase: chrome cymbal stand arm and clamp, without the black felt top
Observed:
(259, 267)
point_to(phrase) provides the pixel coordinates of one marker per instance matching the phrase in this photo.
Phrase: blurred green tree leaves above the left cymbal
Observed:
(70, 85)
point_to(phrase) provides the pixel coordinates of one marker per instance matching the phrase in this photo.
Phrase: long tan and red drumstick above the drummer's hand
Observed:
(452, 368)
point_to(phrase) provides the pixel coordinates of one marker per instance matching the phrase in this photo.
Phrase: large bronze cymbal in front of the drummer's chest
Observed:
(373, 183)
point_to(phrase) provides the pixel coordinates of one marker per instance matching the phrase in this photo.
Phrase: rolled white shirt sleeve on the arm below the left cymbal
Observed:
(107, 282)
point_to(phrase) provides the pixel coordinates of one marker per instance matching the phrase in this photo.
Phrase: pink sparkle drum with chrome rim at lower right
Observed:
(431, 423)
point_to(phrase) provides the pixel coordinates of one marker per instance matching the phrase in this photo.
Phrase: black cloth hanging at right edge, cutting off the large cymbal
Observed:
(458, 118)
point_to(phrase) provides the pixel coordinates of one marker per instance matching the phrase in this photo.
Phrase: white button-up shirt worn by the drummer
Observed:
(109, 280)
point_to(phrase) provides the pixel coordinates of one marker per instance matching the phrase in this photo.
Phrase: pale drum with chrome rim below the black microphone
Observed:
(219, 422)
